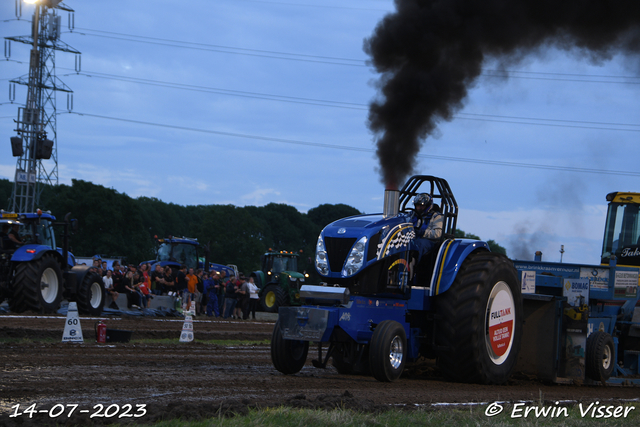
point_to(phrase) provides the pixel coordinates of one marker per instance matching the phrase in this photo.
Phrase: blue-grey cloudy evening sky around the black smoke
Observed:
(250, 102)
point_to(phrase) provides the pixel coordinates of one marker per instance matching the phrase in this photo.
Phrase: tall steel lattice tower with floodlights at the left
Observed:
(36, 122)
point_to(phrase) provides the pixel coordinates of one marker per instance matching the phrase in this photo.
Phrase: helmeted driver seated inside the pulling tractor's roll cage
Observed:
(427, 223)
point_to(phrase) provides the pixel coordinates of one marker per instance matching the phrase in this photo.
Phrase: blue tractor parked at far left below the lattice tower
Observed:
(37, 275)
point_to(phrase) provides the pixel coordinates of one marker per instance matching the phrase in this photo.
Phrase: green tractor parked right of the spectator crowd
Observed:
(279, 281)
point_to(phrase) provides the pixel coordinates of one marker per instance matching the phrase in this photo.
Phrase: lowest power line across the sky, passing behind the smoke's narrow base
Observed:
(368, 150)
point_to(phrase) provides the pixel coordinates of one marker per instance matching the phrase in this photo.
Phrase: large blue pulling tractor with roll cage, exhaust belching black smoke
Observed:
(380, 305)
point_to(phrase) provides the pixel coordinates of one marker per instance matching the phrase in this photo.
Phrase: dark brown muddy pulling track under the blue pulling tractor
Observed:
(197, 380)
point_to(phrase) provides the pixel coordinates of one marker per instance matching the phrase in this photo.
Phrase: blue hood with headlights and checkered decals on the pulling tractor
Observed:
(347, 246)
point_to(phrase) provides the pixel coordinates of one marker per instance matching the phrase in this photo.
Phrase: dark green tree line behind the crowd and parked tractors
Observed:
(115, 224)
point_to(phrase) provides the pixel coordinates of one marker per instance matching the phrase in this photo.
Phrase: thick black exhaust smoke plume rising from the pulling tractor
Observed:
(430, 52)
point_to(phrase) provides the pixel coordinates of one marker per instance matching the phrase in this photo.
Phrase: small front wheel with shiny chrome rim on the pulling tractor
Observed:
(388, 351)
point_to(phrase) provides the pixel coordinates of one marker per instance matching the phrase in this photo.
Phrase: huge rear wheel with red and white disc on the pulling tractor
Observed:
(480, 327)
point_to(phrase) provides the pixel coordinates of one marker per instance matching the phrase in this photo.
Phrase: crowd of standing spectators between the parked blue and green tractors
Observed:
(212, 293)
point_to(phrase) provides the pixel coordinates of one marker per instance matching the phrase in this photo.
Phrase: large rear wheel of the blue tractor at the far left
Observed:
(37, 286)
